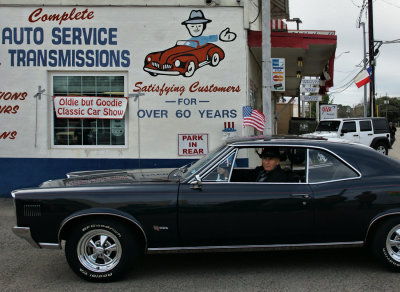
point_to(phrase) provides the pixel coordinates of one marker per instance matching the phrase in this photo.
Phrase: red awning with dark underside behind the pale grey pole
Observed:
(315, 48)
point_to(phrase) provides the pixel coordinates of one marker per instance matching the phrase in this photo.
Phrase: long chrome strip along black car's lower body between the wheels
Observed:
(254, 247)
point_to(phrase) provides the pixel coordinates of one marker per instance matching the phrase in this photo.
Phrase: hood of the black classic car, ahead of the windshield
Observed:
(108, 177)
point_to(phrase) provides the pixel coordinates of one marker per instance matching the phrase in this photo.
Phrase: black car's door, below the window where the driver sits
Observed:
(227, 213)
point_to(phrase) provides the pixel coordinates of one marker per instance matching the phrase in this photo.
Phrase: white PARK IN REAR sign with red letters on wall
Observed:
(192, 144)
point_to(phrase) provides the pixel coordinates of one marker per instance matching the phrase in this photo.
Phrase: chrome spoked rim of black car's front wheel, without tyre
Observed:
(99, 250)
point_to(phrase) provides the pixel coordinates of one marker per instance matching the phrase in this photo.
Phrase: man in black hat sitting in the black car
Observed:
(270, 170)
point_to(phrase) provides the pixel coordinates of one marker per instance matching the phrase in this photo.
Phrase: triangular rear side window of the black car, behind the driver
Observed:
(323, 167)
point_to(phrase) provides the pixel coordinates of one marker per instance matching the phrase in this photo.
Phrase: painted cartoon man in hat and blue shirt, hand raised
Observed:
(197, 23)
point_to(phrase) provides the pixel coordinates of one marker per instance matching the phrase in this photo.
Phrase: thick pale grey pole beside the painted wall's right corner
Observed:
(266, 66)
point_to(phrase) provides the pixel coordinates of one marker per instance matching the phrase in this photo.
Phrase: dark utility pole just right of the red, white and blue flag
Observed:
(371, 56)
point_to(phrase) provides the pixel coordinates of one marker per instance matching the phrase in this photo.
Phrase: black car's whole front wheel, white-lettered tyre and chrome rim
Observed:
(101, 250)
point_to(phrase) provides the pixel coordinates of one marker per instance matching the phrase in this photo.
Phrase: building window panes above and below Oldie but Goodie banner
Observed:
(88, 132)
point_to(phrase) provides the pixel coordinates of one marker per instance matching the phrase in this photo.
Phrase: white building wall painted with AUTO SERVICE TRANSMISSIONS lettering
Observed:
(186, 87)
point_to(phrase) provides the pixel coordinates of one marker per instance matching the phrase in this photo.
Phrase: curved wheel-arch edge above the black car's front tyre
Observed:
(68, 222)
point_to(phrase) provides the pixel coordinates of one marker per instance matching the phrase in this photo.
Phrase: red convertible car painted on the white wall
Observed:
(183, 59)
